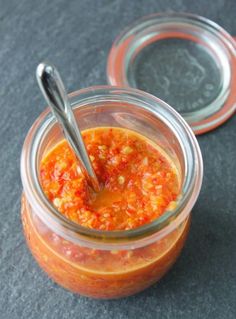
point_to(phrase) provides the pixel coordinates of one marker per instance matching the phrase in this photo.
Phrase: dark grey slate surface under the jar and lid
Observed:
(76, 36)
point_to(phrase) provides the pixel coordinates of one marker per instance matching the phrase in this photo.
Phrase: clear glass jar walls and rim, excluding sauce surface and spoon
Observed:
(110, 264)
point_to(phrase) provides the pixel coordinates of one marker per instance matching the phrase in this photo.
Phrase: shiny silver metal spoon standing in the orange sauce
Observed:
(54, 92)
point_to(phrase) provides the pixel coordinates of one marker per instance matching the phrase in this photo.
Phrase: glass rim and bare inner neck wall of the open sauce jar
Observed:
(130, 108)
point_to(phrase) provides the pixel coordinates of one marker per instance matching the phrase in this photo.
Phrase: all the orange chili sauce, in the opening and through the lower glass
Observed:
(139, 182)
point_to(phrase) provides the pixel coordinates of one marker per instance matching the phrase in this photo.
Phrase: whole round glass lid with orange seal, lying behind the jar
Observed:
(186, 60)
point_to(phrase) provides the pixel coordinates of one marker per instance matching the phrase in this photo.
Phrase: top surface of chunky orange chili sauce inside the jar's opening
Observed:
(138, 182)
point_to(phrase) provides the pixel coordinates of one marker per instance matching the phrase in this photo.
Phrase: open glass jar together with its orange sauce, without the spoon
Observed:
(121, 240)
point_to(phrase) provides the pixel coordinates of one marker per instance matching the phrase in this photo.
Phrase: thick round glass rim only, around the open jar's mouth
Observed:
(33, 190)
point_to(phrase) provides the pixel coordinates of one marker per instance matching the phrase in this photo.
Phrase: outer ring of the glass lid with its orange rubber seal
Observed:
(208, 34)
